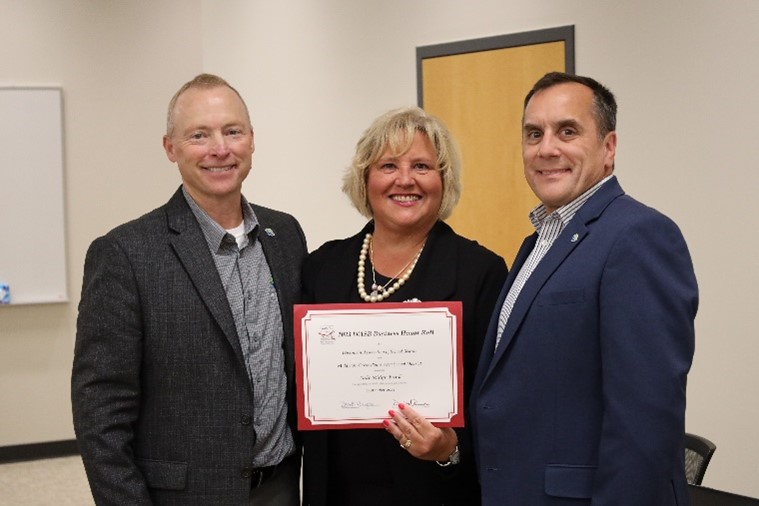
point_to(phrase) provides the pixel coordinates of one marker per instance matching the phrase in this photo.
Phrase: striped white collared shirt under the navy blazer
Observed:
(548, 227)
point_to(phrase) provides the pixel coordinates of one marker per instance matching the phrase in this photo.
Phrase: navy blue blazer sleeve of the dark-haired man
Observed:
(649, 299)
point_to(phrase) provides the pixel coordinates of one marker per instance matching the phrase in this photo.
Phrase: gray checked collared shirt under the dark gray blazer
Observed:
(253, 299)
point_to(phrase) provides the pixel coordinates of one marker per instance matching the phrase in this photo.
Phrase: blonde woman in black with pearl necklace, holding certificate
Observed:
(405, 177)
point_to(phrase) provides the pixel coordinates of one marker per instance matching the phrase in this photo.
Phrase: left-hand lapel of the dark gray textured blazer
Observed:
(191, 248)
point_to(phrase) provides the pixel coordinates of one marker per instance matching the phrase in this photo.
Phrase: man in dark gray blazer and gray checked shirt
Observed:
(182, 383)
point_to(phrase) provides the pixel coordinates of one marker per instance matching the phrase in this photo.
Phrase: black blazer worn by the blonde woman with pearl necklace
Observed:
(450, 268)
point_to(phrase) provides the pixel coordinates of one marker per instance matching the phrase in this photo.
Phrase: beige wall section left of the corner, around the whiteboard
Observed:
(118, 63)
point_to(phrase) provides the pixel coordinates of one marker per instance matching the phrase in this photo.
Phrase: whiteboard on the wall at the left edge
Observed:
(32, 238)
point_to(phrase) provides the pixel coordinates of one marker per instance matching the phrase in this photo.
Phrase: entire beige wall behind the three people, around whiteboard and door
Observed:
(316, 73)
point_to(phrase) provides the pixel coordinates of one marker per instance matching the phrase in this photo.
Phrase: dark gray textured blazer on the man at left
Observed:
(162, 403)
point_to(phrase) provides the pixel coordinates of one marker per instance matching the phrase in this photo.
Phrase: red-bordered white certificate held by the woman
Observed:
(355, 362)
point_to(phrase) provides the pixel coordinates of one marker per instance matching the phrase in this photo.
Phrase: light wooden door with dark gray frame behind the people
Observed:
(479, 95)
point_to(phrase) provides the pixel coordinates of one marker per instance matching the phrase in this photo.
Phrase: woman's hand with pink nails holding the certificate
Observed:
(418, 436)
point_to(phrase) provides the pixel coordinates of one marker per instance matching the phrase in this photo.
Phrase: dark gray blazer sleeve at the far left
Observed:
(105, 382)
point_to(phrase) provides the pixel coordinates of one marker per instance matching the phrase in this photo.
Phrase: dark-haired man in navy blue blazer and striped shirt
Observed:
(579, 397)
